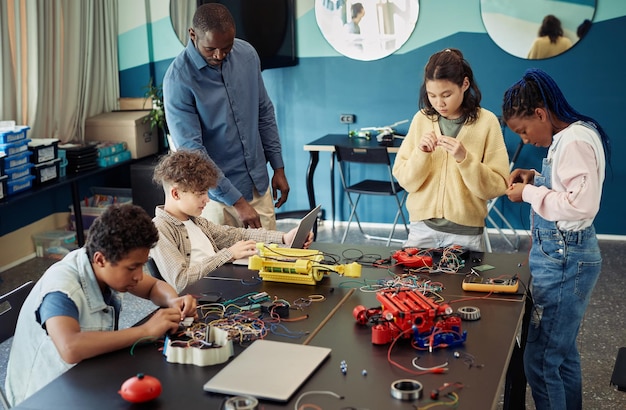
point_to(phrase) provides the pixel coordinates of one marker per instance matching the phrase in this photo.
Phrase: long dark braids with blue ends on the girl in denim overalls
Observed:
(537, 89)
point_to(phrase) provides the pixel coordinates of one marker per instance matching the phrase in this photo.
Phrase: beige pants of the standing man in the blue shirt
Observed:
(221, 214)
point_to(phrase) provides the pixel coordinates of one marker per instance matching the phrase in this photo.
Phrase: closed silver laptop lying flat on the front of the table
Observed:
(268, 370)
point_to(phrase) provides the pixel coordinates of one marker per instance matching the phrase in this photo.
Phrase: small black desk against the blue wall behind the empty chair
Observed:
(327, 144)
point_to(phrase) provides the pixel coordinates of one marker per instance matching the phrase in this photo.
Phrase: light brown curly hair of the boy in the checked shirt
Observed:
(192, 171)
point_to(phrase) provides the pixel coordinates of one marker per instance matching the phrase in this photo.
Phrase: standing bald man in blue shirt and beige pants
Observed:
(215, 100)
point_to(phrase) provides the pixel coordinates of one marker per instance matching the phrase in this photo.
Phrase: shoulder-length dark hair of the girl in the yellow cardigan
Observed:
(450, 65)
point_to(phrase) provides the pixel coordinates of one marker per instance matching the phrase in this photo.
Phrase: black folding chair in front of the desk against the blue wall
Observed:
(387, 187)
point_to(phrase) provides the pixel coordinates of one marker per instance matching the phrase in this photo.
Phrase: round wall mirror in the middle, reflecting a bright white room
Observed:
(366, 29)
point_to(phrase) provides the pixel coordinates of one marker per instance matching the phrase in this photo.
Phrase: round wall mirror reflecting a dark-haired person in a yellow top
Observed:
(530, 28)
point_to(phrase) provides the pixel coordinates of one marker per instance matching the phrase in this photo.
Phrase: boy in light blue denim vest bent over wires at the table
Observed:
(72, 312)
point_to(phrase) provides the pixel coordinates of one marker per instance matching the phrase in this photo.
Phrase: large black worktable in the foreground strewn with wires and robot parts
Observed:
(94, 383)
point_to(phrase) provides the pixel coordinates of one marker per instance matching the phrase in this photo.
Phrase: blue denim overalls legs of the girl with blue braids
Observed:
(565, 267)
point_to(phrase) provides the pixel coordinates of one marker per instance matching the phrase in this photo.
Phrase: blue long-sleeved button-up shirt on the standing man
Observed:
(225, 110)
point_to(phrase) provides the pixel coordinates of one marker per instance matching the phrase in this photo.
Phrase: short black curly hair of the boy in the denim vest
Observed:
(119, 230)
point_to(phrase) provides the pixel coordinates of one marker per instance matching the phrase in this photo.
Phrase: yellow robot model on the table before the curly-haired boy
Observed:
(303, 266)
